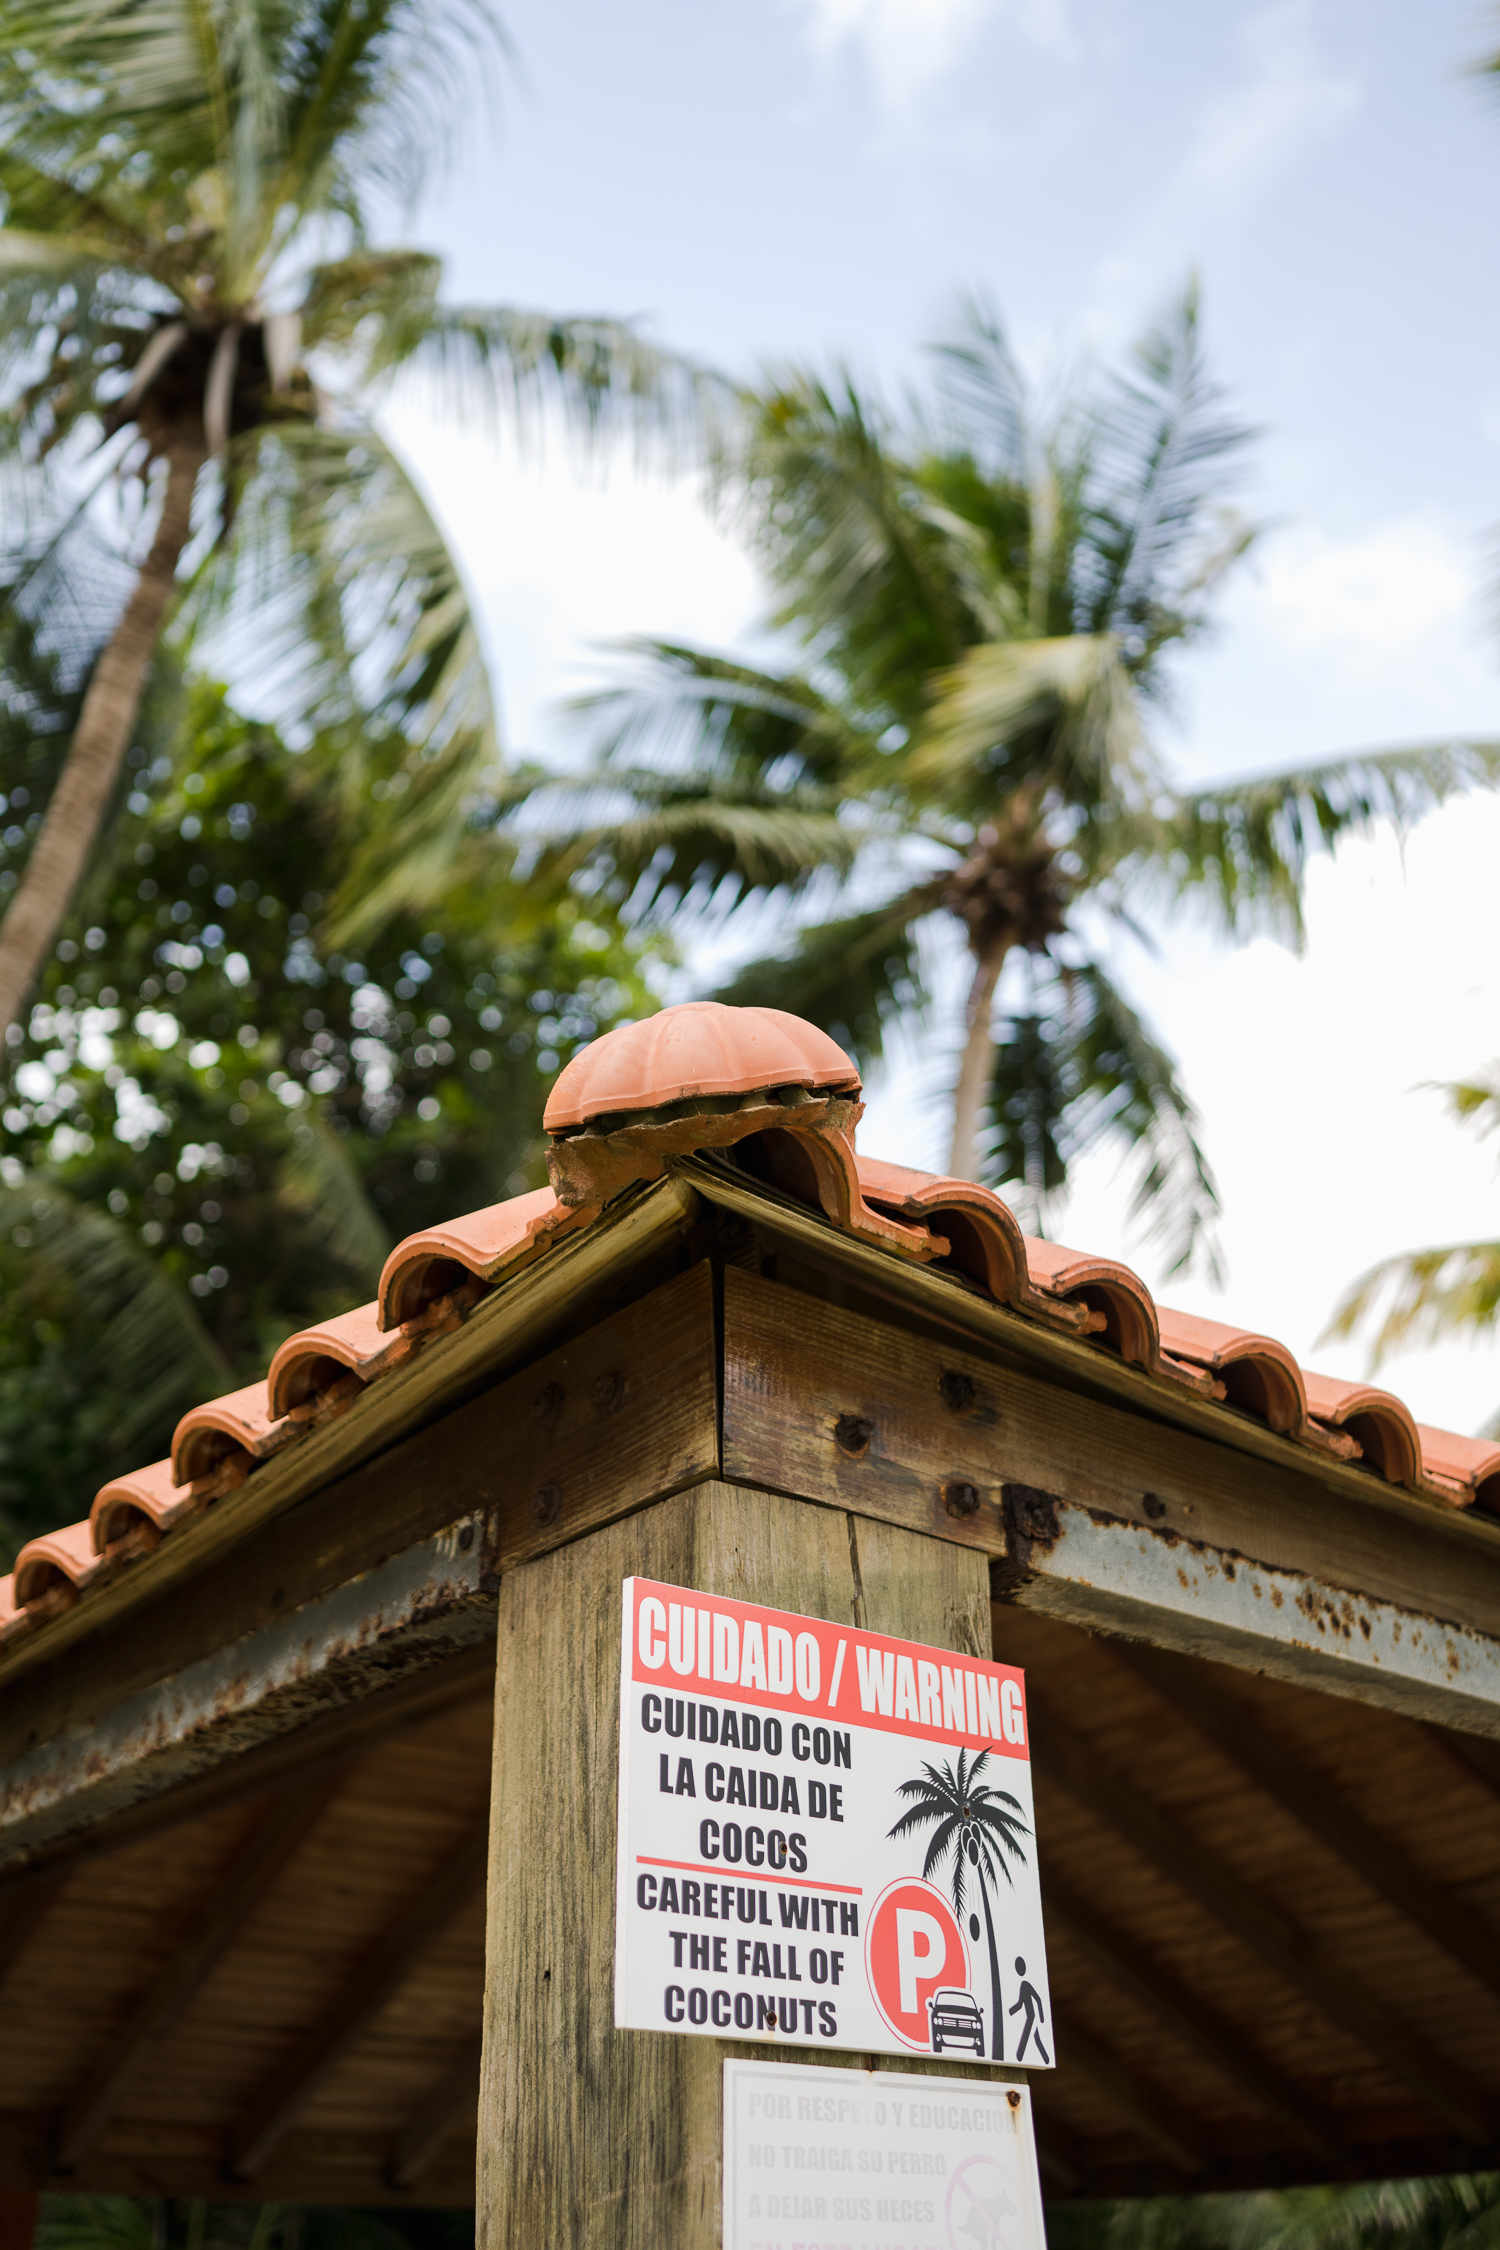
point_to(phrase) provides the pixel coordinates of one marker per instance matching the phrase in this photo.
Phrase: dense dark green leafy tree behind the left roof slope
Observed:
(219, 1122)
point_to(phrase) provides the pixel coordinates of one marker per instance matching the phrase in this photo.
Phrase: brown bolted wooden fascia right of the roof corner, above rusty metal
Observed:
(856, 1412)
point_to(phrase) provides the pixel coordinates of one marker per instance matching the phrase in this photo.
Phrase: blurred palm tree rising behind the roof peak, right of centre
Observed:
(986, 604)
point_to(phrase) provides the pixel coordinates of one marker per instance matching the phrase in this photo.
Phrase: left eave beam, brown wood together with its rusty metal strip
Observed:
(395, 1567)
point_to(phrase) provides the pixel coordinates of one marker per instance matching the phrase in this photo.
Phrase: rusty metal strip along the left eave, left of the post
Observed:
(404, 1617)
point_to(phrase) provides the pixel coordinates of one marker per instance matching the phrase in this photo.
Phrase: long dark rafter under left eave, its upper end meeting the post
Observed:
(390, 1963)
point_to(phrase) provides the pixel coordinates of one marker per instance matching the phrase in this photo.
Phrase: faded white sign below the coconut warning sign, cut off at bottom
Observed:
(876, 2161)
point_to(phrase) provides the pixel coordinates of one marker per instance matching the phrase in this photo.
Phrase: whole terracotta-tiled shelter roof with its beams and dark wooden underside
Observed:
(246, 1711)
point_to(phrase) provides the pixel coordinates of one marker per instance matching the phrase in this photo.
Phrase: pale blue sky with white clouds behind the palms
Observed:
(815, 179)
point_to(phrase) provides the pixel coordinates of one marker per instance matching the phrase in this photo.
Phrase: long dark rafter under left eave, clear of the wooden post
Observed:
(253, 1869)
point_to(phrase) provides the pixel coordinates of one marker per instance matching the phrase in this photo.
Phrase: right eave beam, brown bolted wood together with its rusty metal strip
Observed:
(1130, 1527)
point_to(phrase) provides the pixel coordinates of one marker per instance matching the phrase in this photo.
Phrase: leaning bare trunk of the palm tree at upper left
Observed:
(98, 753)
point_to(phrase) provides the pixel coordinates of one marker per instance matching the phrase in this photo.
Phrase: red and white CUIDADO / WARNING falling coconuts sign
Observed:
(824, 1837)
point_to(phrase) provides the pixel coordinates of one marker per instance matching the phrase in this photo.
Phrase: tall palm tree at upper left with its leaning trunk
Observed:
(186, 271)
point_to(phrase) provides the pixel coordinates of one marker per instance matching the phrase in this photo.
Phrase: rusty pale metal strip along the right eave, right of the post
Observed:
(1180, 1594)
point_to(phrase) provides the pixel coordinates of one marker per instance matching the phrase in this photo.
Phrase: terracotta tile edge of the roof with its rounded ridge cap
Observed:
(437, 1277)
